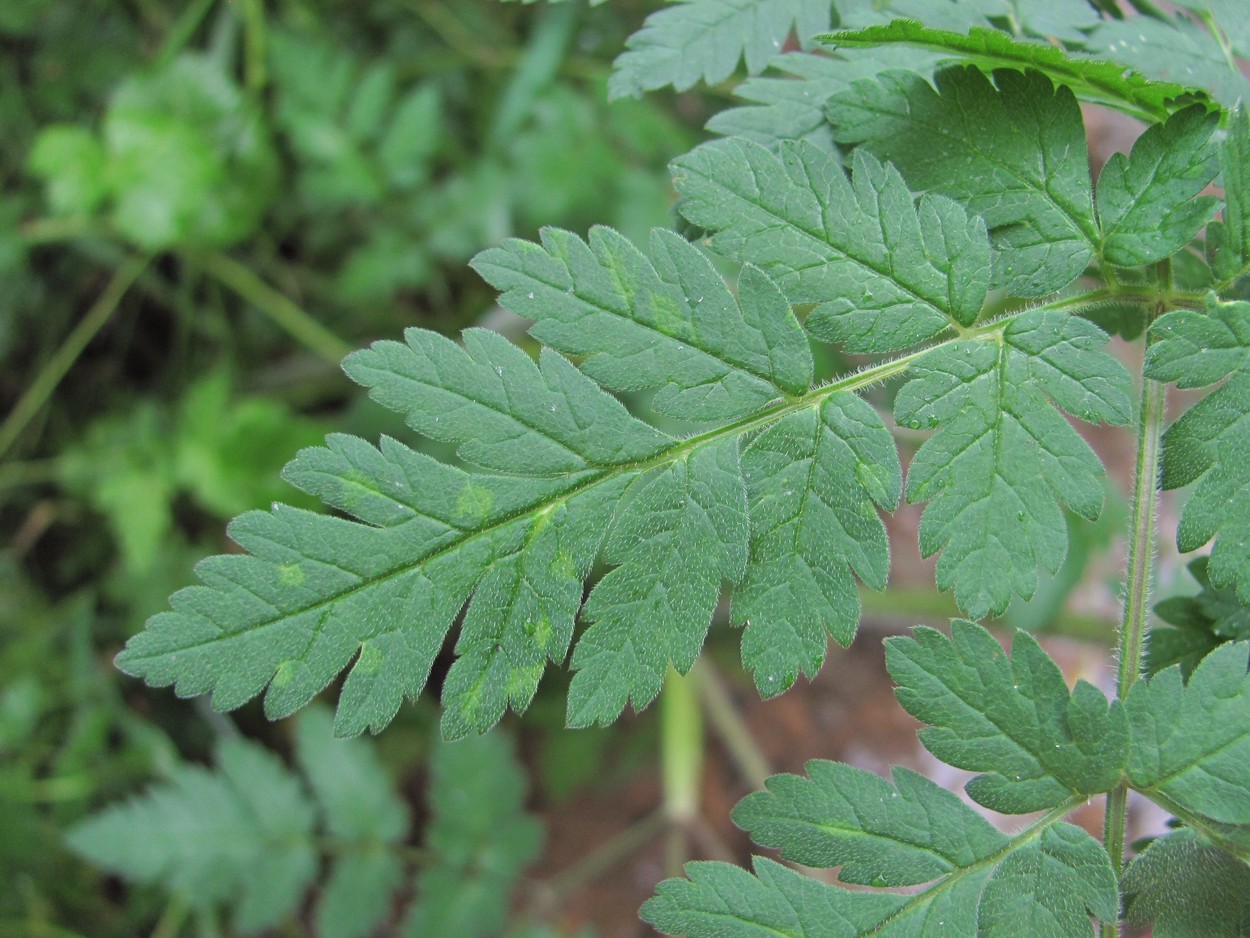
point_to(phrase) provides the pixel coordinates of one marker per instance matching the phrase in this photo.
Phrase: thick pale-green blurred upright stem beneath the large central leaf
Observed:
(681, 759)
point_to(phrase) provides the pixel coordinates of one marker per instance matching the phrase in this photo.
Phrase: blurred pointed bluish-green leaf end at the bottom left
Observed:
(243, 835)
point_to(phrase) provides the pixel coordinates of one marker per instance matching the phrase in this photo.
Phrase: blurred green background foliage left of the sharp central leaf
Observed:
(206, 204)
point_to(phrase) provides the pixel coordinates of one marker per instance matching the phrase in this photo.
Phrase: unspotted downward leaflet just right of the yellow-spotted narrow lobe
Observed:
(677, 537)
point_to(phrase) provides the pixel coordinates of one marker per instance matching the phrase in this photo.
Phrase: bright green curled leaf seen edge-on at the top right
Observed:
(1089, 79)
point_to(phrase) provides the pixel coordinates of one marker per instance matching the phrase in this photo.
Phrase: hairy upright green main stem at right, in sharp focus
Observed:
(1137, 602)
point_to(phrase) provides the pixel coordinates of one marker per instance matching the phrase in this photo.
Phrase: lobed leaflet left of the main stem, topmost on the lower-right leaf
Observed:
(1012, 719)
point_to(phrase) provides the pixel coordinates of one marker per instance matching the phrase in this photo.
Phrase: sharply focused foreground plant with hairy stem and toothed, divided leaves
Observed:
(919, 196)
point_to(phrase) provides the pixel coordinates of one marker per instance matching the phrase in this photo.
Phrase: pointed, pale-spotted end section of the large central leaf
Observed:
(318, 592)
